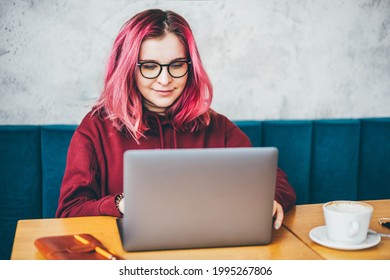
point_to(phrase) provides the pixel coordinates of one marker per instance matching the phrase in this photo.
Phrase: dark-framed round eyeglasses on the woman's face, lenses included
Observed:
(151, 70)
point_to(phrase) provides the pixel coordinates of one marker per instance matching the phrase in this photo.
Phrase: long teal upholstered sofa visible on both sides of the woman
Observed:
(324, 160)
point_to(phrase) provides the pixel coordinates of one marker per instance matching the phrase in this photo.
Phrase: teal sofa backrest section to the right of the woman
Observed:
(330, 159)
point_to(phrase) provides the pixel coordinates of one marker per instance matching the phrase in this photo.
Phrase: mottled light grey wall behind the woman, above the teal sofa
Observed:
(269, 59)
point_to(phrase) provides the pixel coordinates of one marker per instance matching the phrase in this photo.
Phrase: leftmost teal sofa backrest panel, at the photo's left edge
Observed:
(20, 180)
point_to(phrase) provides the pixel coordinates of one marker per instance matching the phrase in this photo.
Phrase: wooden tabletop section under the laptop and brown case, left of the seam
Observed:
(284, 245)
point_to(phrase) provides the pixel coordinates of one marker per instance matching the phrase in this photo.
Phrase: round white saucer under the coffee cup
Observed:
(320, 236)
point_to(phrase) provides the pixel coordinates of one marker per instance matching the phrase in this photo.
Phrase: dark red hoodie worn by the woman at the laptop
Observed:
(94, 168)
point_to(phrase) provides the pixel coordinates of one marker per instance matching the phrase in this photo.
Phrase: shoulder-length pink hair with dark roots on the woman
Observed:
(121, 100)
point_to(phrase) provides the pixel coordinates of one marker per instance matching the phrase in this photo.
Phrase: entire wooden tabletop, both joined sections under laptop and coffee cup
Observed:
(290, 242)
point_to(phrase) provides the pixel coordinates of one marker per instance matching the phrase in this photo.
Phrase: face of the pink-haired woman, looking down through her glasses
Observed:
(161, 92)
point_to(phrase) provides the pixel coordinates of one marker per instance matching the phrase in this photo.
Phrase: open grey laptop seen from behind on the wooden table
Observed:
(198, 198)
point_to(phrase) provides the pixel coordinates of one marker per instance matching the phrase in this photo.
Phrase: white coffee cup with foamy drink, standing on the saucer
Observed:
(347, 221)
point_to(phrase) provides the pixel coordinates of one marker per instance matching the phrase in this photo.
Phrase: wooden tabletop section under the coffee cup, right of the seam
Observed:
(303, 218)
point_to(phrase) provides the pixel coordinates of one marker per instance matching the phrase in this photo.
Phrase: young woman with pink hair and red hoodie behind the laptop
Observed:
(156, 95)
